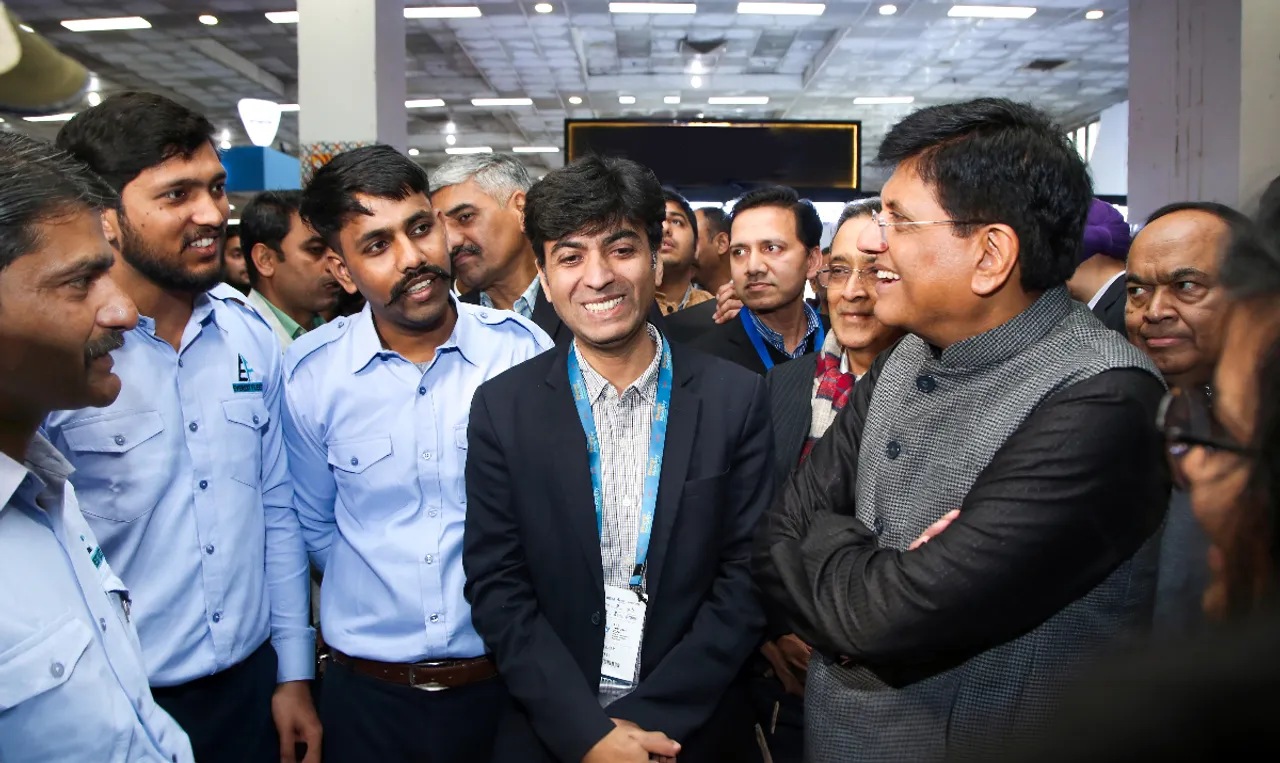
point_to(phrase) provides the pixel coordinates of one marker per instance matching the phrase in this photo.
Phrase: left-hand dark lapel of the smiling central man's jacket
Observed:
(573, 467)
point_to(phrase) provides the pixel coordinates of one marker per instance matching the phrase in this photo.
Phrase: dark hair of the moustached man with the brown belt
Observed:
(380, 171)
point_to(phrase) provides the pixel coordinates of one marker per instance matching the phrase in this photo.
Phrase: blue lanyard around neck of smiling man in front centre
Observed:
(653, 470)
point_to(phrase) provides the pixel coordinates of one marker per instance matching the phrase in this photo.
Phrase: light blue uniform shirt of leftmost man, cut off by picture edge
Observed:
(72, 680)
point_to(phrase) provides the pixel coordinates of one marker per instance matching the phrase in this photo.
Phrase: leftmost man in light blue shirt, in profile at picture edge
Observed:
(74, 686)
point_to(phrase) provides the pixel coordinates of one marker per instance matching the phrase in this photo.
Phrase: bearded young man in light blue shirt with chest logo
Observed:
(185, 478)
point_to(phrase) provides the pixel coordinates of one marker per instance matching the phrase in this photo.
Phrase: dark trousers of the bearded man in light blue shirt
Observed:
(228, 715)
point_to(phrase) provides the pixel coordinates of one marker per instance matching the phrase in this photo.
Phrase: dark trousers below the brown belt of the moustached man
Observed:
(371, 720)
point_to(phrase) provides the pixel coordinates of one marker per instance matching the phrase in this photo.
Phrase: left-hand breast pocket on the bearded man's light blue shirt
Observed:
(120, 464)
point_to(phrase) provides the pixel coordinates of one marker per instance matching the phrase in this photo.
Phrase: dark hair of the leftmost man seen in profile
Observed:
(42, 185)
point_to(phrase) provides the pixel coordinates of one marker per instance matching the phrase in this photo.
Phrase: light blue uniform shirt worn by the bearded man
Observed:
(186, 485)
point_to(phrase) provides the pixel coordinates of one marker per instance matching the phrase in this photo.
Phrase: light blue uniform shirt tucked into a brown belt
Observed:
(378, 451)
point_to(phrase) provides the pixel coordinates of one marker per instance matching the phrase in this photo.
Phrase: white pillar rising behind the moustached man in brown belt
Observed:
(351, 77)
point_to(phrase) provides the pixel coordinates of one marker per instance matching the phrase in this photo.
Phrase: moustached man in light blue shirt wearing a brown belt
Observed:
(378, 440)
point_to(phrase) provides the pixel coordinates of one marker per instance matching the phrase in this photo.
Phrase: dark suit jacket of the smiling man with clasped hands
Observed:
(533, 560)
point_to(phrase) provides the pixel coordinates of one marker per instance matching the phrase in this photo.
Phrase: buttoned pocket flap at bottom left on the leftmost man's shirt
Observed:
(43, 663)
